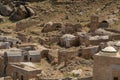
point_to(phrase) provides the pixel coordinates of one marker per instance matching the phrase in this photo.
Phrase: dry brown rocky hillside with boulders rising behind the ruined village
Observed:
(64, 11)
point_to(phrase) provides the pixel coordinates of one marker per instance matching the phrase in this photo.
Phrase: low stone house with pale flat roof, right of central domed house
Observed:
(86, 39)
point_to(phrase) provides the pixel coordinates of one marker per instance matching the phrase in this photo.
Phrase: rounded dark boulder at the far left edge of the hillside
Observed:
(5, 10)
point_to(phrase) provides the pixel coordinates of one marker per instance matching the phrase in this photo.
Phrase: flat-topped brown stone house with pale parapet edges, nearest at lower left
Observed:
(23, 70)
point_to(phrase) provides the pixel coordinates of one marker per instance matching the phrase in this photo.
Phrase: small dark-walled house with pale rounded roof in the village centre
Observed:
(69, 40)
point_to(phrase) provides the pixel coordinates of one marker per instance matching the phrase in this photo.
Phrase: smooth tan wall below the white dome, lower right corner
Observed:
(106, 68)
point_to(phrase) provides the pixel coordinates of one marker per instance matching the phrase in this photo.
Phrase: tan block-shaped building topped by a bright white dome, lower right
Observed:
(106, 64)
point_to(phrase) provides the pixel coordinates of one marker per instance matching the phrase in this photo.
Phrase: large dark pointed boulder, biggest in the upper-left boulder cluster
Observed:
(19, 13)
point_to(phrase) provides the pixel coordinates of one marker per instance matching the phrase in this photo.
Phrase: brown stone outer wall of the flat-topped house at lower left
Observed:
(17, 72)
